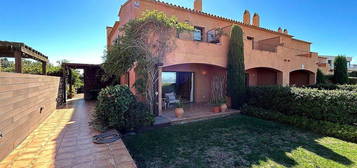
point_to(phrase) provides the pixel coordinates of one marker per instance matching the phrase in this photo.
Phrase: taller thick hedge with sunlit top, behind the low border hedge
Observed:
(338, 106)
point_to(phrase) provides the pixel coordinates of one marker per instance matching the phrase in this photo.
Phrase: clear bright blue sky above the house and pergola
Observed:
(75, 29)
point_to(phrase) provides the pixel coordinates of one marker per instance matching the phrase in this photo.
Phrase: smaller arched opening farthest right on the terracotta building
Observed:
(301, 78)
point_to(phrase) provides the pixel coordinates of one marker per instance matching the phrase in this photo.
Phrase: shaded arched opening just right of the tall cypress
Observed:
(262, 76)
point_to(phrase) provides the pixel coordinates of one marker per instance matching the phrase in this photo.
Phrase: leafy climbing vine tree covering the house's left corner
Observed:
(143, 46)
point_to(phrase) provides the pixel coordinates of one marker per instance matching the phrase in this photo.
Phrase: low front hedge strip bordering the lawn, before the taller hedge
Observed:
(345, 132)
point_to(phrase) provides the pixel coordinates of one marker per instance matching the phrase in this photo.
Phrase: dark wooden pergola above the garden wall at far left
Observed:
(20, 50)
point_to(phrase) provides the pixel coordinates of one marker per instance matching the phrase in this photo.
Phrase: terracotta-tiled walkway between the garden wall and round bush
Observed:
(65, 140)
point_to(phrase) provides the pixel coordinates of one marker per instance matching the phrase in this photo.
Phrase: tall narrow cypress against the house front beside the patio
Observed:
(236, 88)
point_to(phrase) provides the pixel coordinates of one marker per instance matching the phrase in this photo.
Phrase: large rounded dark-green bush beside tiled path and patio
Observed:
(117, 108)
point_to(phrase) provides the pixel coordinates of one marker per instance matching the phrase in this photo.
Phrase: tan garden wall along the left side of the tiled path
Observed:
(25, 101)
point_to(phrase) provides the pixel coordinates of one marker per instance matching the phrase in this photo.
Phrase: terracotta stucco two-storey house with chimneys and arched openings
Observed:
(271, 57)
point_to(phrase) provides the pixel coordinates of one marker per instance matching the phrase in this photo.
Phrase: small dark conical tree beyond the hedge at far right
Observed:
(340, 70)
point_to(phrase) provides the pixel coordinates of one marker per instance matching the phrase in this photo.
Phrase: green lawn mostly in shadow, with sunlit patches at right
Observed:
(238, 141)
